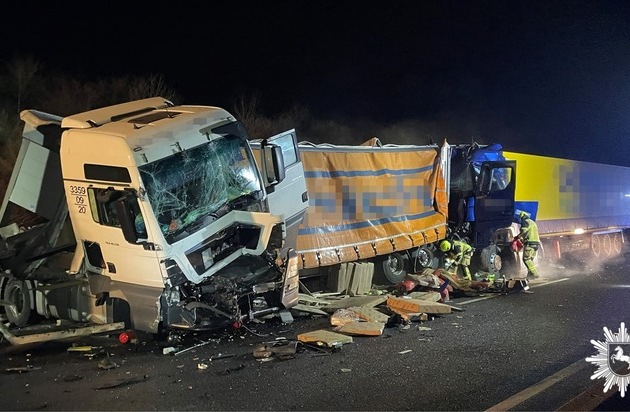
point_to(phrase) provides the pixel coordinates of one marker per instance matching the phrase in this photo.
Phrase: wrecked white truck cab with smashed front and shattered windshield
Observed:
(148, 213)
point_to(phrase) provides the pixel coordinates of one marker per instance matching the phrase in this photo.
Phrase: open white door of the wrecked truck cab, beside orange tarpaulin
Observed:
(283, 174)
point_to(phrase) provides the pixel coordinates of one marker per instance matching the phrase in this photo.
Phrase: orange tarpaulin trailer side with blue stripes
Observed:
(370, 201)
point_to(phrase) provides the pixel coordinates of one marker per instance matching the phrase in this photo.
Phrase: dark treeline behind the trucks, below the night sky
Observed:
(26, 83)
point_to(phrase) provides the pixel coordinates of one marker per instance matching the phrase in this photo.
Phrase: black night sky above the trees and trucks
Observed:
(543, 77)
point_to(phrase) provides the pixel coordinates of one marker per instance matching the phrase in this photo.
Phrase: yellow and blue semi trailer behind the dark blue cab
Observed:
(578, 205)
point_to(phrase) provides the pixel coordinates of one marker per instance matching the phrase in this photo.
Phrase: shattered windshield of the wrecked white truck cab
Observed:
(186, 188)
